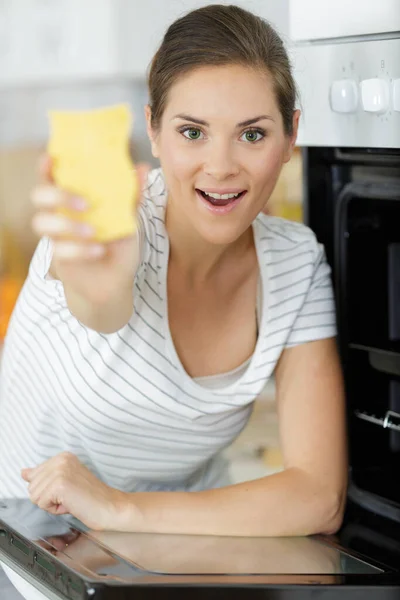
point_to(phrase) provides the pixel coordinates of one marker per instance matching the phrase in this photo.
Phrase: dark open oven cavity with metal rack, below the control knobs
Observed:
(353, 205)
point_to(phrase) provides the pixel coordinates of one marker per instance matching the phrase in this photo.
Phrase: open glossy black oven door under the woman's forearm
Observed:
(64, 560)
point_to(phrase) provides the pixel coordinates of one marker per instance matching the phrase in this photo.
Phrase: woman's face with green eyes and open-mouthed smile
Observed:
(221, 133)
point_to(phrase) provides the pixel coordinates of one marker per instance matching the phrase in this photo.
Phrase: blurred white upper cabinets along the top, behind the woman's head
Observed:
(48, 41)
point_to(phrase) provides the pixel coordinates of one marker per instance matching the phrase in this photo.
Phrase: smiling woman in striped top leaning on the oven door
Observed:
(129, 367)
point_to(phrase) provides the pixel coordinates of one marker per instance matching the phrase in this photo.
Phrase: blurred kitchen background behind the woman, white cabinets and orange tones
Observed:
(80, 54)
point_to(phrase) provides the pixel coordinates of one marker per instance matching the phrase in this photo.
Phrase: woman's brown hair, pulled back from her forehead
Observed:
(217, 35)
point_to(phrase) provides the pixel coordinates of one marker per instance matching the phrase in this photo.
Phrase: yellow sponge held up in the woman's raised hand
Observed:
(90, 159)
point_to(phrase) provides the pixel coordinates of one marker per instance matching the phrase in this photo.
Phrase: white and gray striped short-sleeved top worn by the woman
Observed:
(123, 402)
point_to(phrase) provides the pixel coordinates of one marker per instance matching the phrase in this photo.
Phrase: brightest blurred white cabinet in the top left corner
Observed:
(44, 41)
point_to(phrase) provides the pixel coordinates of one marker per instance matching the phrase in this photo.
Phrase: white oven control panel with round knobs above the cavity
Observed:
(349, 92)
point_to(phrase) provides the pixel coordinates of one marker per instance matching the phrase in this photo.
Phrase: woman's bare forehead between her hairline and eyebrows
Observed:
(223, 91)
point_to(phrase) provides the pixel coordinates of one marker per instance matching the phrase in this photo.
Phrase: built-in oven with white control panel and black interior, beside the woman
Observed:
(348, 75)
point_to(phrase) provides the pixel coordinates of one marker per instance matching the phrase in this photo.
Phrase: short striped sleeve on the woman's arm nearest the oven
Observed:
(317, 317)
